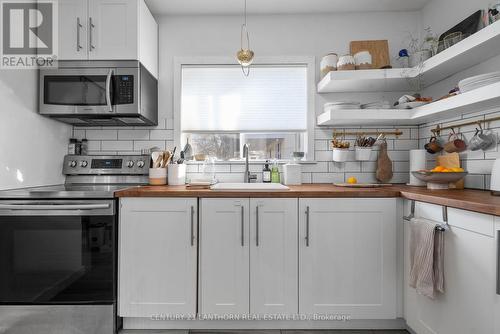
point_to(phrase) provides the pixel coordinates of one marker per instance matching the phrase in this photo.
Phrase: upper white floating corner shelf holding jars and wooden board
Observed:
(473, 50)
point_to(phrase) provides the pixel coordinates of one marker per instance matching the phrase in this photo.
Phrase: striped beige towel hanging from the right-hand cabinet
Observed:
(426, 257)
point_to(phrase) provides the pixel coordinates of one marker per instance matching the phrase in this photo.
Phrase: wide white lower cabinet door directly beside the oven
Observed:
(157, 256)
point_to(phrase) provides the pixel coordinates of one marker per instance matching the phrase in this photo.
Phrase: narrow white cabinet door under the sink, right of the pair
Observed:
(273, 256)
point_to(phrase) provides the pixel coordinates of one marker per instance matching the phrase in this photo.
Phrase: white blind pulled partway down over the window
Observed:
(220, 98)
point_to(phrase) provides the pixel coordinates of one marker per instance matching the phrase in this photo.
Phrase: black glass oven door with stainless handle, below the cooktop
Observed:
(57, 252)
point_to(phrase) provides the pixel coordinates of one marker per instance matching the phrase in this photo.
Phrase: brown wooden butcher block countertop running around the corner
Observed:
(473, 200)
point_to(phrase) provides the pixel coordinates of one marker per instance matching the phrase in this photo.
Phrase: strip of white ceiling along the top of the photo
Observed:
(230, 7)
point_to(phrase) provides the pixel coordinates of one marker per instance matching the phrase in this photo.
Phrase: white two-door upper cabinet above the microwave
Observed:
(108, 30)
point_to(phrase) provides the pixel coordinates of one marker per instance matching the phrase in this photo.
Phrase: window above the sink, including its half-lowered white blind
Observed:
(221, 110)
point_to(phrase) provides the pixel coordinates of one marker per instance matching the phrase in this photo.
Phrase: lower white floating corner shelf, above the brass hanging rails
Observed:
(477, 100)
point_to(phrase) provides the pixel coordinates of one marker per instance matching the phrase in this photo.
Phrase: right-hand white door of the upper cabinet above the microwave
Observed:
(113, 29)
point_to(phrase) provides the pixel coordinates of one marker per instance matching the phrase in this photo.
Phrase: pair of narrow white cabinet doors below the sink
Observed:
(248, 256)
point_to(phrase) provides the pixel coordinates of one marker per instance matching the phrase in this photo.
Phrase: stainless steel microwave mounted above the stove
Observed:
(99, 93)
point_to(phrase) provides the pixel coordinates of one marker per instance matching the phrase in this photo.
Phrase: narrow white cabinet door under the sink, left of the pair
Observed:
(224, 256)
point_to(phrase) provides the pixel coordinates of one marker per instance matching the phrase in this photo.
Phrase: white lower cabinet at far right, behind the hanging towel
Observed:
(470, 265)
